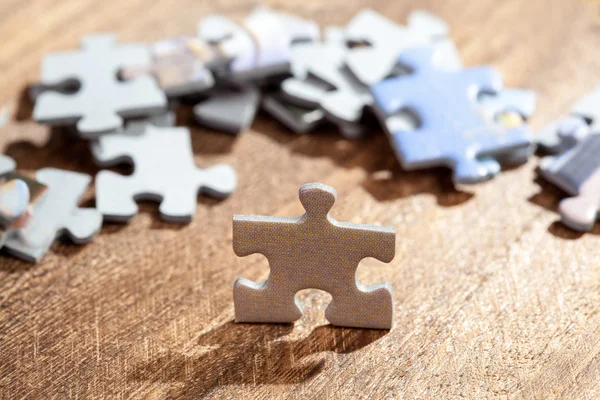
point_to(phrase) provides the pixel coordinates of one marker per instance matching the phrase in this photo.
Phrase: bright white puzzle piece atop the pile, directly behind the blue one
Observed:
(386, 39)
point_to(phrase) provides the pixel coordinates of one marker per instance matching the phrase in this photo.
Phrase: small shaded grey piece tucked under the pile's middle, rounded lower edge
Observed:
(229, 110)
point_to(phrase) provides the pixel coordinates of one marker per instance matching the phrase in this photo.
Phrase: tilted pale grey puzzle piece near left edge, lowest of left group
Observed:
(56, 213)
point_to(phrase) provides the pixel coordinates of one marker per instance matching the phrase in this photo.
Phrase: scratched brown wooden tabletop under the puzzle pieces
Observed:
(494, 298)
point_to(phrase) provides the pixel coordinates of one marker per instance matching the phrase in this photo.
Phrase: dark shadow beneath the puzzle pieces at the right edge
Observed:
(549, 198)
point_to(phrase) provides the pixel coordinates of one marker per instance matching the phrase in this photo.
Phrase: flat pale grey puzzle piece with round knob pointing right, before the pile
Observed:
(164, 171)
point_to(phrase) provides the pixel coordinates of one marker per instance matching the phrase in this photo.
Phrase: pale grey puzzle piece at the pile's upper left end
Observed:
(102, 100)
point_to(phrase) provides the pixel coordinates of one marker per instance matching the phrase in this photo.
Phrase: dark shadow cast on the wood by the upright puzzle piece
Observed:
(251, 354)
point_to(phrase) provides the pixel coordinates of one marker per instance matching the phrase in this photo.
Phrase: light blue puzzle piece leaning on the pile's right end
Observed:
(451, 131)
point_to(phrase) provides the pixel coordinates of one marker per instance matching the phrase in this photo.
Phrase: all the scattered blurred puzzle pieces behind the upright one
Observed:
(120, 98)
